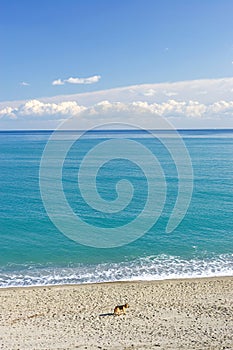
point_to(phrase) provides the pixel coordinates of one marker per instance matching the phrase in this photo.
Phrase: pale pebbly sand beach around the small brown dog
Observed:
(174, 314)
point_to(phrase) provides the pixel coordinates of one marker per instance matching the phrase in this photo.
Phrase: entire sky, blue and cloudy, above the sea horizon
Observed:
(175, 56)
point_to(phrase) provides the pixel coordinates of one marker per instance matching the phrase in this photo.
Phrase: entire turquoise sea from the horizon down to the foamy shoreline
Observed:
(37, 249)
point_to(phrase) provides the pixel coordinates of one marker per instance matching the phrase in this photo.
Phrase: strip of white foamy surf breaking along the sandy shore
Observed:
(149, 268)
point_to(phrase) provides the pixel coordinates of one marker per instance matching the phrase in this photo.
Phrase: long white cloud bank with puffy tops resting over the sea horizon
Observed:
(189, 104)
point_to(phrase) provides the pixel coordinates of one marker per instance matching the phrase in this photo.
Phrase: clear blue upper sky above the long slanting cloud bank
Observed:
(119, 43)
